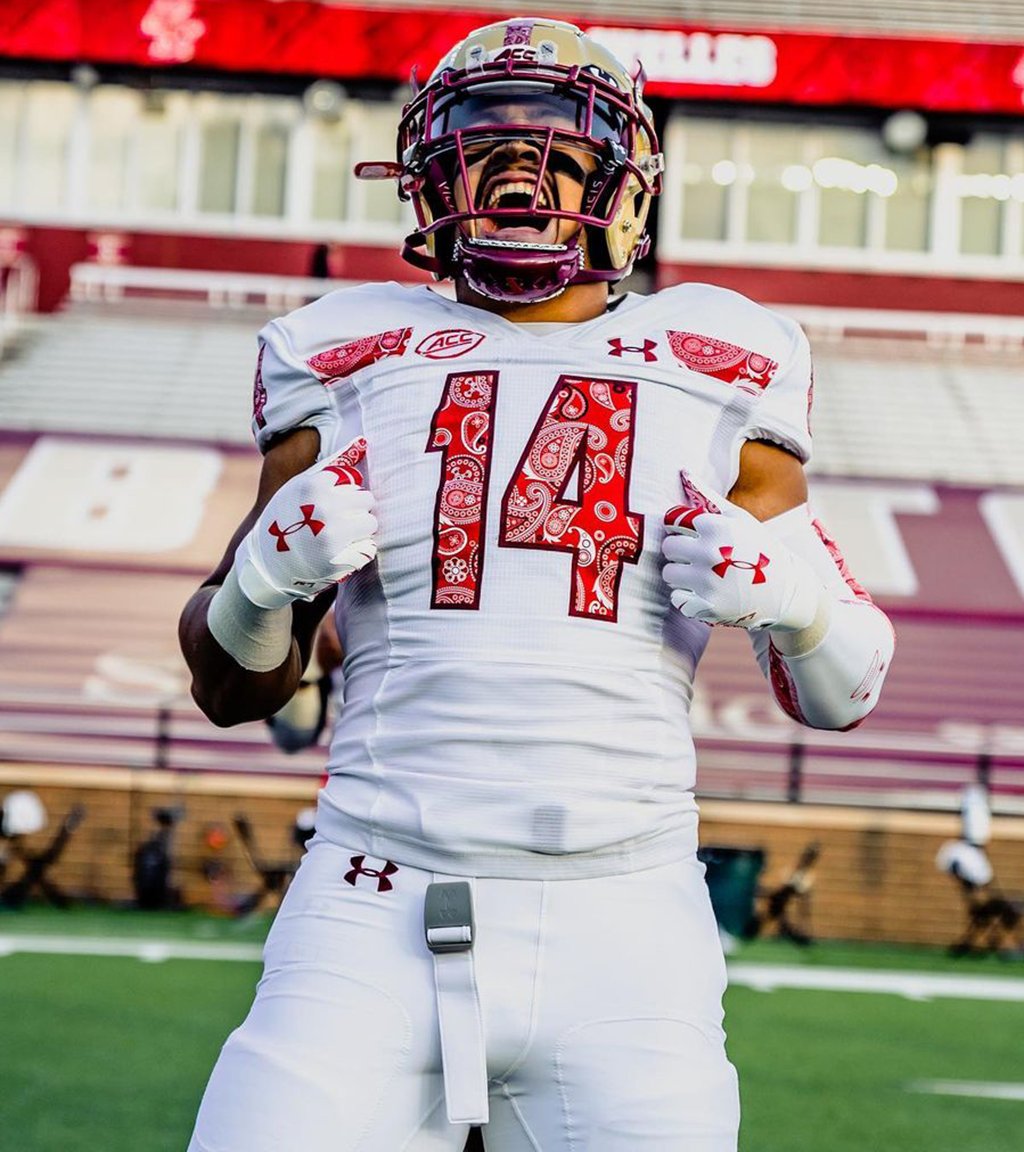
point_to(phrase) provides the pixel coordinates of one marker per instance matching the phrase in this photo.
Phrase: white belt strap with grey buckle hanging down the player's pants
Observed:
(449, 927)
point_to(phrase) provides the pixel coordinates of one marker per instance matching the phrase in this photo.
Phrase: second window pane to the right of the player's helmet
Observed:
(772, 168)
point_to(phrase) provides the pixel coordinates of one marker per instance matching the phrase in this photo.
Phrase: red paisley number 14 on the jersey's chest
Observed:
(583, 441)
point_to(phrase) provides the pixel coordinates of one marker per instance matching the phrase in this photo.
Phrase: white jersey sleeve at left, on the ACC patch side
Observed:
(286, 395)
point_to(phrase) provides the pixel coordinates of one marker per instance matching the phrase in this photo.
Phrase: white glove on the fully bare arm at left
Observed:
(316, 532)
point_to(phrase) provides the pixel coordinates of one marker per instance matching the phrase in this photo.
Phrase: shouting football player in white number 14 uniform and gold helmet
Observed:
(535, 499)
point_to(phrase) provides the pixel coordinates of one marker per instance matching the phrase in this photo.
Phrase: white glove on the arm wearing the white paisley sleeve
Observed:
(726, 569)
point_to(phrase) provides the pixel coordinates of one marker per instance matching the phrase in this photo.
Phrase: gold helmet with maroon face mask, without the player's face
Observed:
(606, 115)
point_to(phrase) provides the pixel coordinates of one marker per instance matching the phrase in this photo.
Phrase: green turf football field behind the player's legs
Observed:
(111, 1052)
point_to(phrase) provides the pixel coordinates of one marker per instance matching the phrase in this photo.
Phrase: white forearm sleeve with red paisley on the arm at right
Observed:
(830, 674)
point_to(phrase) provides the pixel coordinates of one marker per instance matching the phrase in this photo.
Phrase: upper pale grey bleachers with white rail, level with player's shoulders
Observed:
(169, 353)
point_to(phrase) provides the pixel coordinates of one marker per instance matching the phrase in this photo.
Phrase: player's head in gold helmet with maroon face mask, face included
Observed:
(530, 161)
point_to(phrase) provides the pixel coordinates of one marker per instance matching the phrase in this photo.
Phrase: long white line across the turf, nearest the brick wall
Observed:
(762, 977)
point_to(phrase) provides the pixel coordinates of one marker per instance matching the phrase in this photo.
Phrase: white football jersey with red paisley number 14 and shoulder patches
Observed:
(517, 681)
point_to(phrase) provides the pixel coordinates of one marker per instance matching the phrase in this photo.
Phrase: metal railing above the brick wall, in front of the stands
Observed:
(794, 766)
